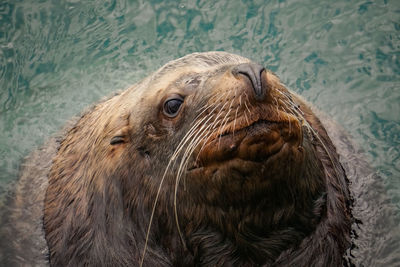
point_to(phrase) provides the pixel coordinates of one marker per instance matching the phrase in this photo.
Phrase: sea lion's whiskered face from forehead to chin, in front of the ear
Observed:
(226, 127)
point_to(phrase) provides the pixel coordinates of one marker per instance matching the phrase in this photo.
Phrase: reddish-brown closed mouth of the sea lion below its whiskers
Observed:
(257, 142)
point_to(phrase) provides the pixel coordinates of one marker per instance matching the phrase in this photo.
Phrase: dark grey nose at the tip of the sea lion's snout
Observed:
(253, 72)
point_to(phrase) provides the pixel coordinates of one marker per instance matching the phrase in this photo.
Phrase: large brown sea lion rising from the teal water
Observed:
(210, 161)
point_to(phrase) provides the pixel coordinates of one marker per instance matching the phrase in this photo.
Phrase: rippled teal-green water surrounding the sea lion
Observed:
(58, 56)
